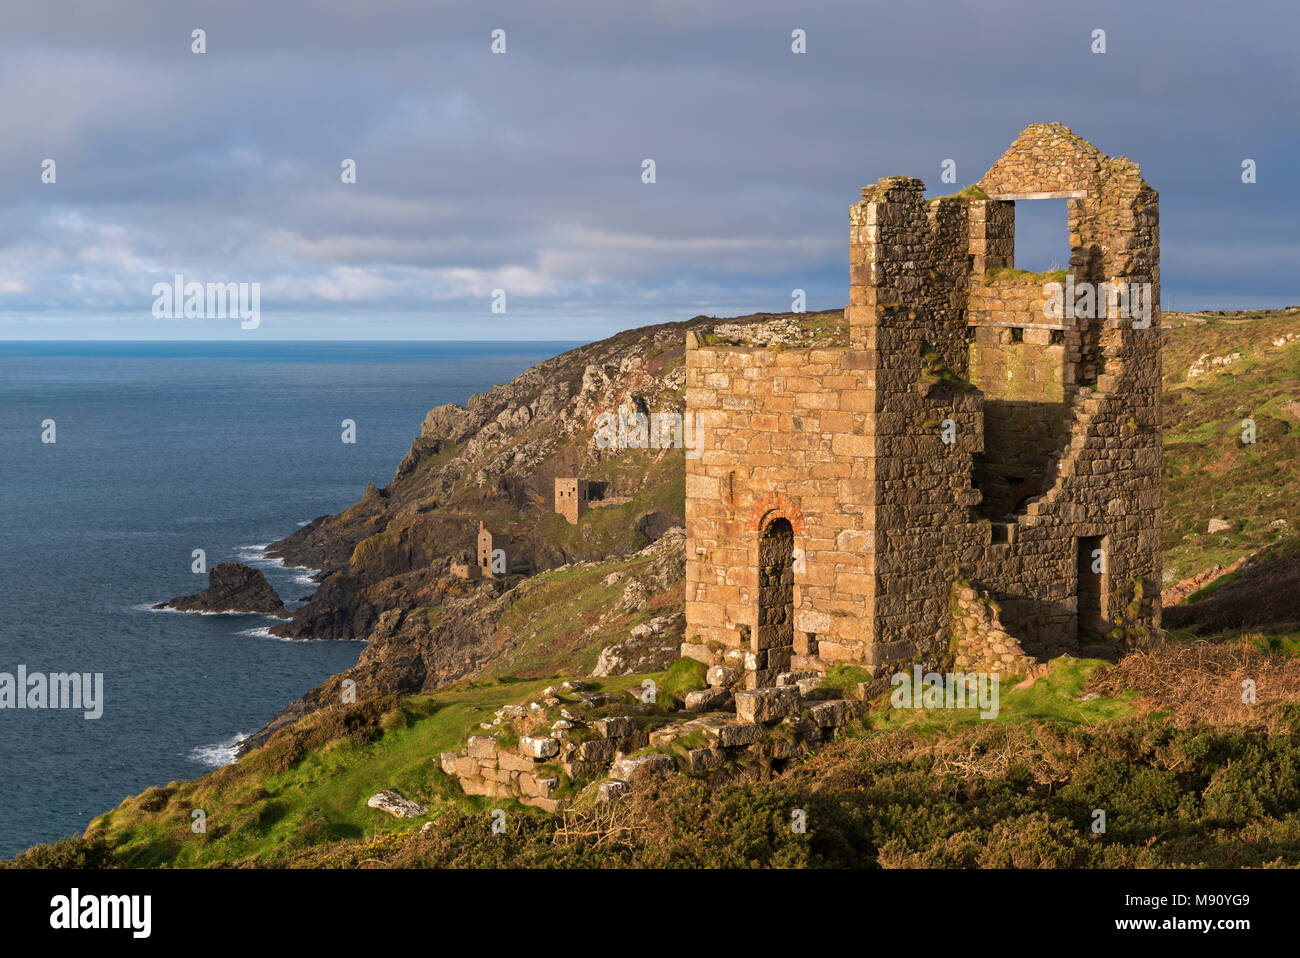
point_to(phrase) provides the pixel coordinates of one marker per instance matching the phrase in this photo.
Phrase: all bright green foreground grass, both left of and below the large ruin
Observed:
(284, 801)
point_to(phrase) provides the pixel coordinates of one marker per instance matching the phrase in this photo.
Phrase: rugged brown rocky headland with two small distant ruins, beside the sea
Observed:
(387, 560)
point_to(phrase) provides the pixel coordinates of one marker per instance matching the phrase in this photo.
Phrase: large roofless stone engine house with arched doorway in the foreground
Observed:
(968, 441)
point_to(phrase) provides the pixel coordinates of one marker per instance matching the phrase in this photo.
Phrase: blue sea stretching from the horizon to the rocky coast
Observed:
(163, 449)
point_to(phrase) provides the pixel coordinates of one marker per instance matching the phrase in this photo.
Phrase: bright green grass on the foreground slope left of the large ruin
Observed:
(259, 812)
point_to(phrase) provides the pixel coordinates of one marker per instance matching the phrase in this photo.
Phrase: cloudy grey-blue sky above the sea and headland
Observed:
(523, 171)
